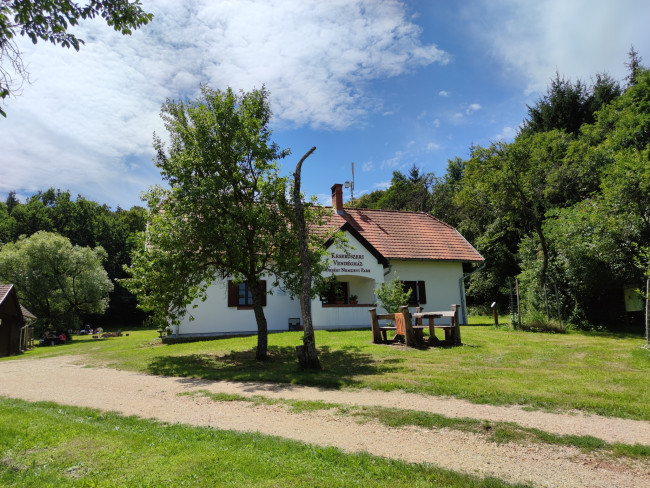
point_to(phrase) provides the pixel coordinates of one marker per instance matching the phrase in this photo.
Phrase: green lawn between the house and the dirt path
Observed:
(594, 372)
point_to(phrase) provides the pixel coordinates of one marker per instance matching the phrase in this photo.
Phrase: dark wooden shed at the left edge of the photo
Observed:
(15, 332)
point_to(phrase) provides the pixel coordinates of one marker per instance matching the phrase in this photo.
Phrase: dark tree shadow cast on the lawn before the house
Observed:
(340, 367)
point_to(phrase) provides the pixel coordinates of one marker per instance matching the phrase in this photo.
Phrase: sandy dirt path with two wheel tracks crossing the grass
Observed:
(65, 380)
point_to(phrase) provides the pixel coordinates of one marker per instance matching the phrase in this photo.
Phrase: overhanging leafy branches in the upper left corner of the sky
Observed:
(50, 21)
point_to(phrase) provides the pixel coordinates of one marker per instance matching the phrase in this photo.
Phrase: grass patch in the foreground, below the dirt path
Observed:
(44, 444)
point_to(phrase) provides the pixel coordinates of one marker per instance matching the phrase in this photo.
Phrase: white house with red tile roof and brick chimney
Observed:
(424, 252)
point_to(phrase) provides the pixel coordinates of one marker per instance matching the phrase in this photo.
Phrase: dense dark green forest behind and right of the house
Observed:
(564, 208)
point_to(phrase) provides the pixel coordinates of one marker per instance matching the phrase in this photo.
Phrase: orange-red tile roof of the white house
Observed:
(407, 235)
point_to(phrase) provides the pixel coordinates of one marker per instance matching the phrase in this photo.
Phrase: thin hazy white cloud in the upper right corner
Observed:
(578, 38)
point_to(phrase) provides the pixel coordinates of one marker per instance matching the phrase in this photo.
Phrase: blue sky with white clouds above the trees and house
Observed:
(384, 84)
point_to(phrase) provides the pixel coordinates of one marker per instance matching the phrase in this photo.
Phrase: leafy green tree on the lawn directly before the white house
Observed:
(222, 216)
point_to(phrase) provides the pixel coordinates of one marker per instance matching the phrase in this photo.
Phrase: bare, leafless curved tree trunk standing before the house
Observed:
(307, 353)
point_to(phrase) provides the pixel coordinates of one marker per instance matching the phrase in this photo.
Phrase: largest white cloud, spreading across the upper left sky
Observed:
(86, 123)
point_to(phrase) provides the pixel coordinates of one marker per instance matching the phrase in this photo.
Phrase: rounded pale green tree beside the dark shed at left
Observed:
(55, 280)
